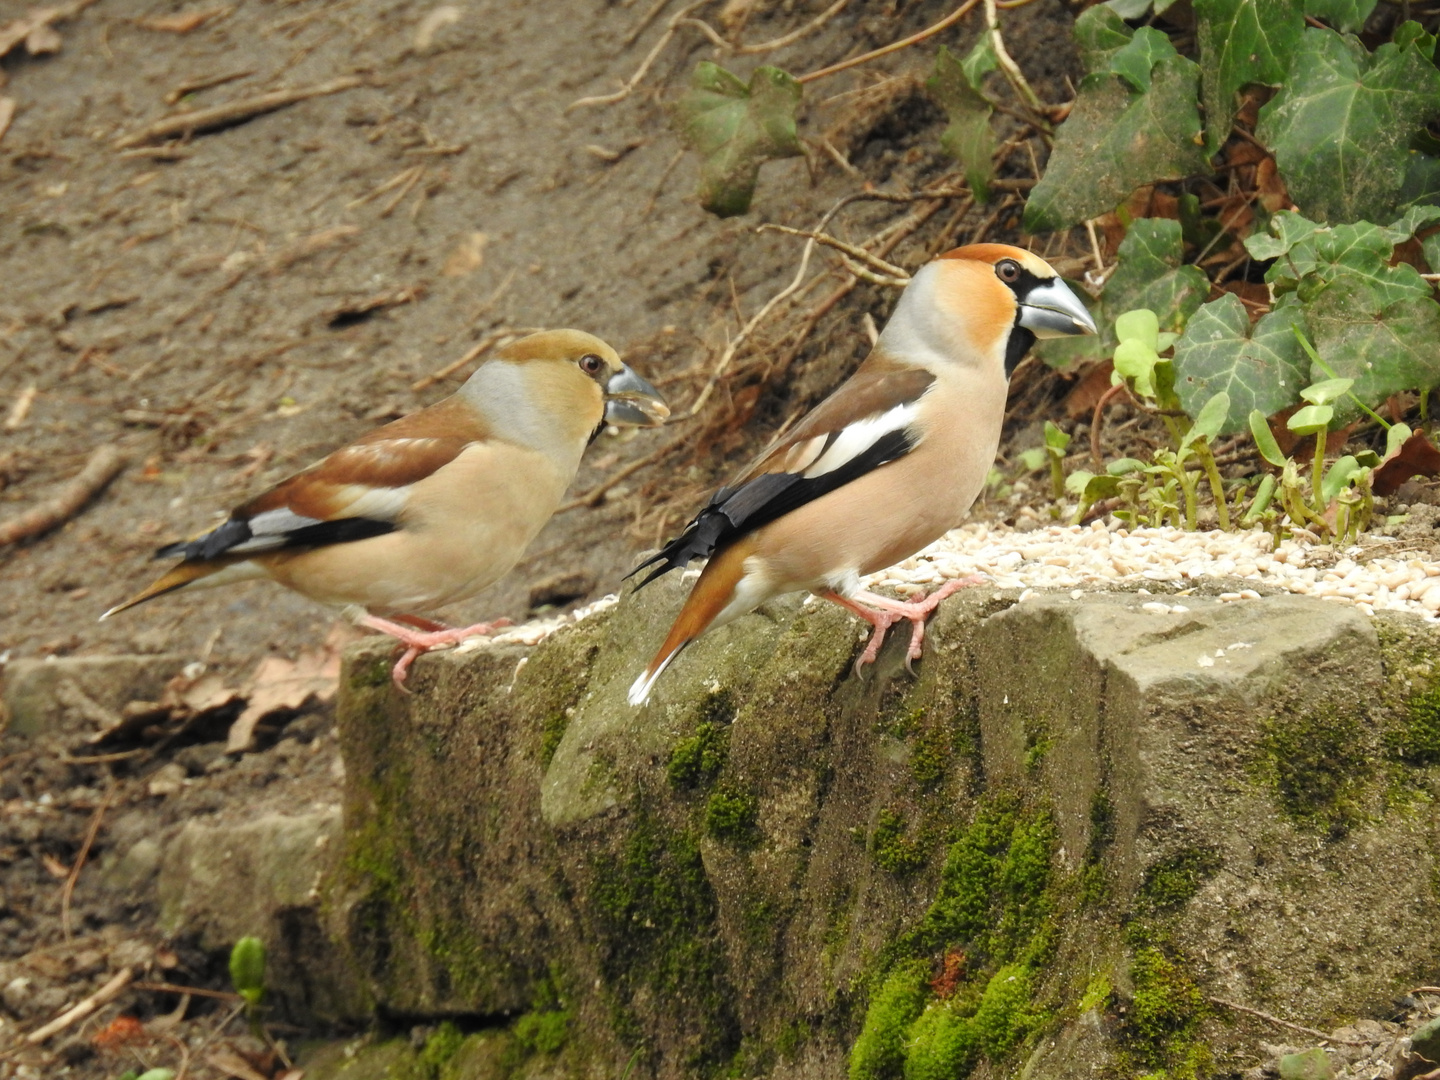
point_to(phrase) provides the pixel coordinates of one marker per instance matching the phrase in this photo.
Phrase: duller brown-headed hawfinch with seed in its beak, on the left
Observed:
(431, 509)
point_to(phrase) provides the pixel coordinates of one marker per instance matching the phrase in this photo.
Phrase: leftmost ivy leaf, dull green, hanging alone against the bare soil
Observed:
(737, 129)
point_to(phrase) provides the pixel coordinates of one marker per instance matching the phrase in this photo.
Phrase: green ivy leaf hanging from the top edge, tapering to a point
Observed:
(1242, 42)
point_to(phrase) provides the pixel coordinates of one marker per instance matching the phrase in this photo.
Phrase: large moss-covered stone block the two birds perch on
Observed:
(1040, 856)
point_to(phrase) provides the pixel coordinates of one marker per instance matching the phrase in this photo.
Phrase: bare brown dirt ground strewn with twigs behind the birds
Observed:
(228, 307)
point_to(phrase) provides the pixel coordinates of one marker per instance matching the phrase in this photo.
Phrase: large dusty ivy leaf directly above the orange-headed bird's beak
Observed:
(1117, 140)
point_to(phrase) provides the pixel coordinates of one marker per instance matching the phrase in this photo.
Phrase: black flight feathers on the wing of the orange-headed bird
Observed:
(738, 510)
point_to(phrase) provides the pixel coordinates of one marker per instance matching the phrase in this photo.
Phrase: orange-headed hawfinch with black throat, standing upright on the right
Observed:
(885, 466)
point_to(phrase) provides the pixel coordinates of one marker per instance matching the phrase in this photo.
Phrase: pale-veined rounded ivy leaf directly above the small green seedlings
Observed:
(1219, 354)
